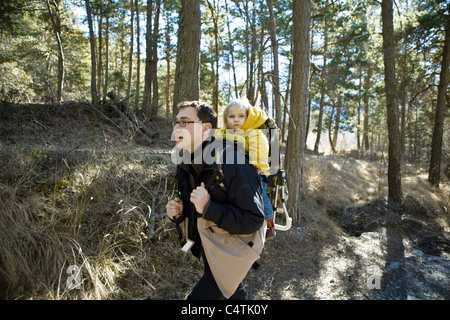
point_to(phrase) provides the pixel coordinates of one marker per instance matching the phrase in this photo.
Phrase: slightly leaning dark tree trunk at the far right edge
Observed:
(434, 175)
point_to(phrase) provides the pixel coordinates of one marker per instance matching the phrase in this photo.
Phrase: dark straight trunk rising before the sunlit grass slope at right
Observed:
(394, 170)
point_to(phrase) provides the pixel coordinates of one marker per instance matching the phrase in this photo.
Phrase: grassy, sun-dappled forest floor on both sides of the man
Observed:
(80, 190)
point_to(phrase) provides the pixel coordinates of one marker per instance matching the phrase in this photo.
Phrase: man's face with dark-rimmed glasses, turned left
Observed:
(190, 136)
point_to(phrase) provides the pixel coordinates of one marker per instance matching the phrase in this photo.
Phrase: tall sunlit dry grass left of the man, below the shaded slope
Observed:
(104, 215)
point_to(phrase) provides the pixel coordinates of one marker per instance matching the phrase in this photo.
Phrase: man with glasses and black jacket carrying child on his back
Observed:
(225, 226)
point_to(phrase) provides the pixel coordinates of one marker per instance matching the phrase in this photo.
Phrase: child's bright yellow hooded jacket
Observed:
(254, 139)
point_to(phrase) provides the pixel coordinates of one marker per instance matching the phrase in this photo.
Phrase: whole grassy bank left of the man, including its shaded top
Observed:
(77, 191)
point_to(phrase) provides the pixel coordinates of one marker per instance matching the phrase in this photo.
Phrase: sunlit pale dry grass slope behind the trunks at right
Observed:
(336, 182)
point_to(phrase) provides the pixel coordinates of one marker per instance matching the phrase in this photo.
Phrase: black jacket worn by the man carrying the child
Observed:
(239, 209)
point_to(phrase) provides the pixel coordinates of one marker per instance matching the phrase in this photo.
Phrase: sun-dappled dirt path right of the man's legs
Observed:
(315, 263)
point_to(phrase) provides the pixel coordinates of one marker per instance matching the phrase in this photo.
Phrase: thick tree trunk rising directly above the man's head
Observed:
(188, 53)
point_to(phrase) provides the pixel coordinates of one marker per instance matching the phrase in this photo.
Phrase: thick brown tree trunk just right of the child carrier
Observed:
(299, 101)
